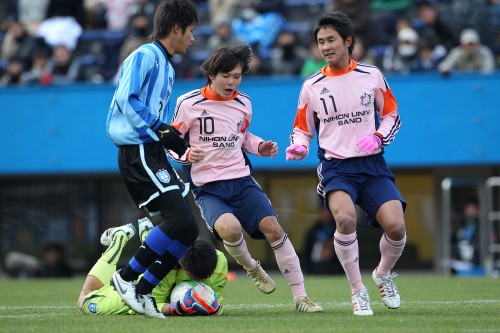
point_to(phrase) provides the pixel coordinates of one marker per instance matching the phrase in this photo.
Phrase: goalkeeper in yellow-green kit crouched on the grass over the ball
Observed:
(202, 262)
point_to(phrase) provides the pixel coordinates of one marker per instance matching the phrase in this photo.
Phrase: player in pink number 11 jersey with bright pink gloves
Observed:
(353, 111)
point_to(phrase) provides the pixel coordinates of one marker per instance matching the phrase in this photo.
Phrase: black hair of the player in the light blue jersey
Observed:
(172, 12)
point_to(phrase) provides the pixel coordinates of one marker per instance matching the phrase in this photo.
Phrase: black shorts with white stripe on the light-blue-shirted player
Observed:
(148, 173)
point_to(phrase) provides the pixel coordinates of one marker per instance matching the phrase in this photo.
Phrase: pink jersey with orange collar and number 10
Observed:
(219, 127)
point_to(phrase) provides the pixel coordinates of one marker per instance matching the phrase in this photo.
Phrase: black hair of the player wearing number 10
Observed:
(225, 59)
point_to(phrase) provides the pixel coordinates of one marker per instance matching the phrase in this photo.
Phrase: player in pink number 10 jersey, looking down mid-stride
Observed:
(215, 120)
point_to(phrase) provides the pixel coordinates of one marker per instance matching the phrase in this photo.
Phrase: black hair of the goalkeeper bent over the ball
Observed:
(200, 260)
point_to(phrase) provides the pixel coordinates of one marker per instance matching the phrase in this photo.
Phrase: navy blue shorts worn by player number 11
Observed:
(367, 180)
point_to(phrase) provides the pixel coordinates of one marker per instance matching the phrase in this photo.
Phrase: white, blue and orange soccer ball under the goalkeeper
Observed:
(194, 298)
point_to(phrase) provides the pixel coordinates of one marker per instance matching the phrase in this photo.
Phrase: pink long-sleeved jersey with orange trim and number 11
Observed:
(343, 106)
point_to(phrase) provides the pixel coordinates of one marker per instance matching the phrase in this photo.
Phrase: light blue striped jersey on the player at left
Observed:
(141, 100)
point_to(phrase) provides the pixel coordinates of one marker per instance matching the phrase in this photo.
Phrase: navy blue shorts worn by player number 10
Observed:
(242, 197)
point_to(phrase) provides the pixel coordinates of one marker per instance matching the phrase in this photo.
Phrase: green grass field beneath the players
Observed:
(429, 303)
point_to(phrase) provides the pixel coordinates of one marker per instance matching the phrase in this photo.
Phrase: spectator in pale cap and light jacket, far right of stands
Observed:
(469, 56)
